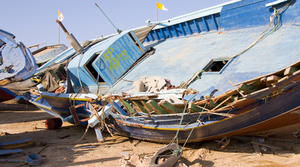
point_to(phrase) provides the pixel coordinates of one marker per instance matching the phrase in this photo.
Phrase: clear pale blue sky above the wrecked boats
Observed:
(33, 21)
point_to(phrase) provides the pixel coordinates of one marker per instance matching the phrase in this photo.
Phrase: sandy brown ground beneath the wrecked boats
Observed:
(59, 147)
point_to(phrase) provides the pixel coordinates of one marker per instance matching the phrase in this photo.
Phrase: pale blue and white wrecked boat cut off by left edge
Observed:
(10, 69)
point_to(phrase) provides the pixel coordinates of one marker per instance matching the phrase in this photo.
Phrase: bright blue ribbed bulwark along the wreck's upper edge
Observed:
(231, 16)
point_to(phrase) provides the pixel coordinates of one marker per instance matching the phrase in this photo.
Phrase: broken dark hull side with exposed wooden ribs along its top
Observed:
(254, 107)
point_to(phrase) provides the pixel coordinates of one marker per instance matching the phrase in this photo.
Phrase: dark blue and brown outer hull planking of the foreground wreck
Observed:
(260, 116)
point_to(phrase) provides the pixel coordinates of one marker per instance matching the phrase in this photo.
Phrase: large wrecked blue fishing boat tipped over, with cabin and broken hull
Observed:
(230, 43)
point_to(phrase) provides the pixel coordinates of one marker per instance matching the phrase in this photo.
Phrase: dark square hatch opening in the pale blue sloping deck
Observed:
(216, 65)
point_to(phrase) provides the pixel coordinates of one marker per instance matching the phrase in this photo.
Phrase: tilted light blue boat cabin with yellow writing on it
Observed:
(103, 64)
